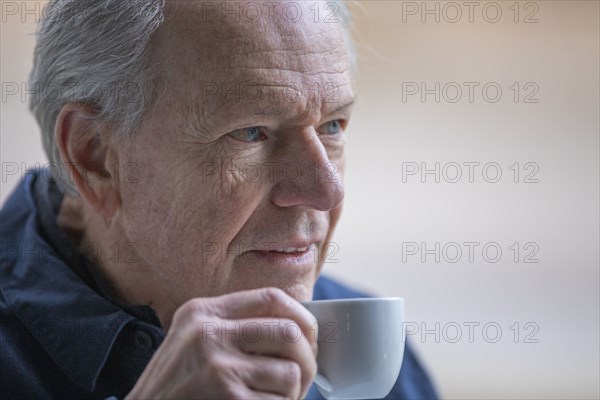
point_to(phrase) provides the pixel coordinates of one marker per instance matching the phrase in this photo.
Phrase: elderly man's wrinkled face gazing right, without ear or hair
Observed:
(242, 158)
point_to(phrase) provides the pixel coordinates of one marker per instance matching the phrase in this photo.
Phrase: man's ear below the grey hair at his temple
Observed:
(87, 153)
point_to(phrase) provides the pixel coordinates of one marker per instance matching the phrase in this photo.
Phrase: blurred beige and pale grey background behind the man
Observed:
(558, 215)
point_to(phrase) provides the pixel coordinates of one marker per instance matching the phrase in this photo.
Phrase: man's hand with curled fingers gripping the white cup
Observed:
(246, 345)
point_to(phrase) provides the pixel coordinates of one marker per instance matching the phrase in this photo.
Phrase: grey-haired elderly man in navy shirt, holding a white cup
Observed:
(197, 150)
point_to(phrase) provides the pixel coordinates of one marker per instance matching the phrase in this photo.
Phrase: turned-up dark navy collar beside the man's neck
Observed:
(74, 324)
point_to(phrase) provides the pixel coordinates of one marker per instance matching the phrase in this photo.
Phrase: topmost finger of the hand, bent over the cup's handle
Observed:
(266, 302)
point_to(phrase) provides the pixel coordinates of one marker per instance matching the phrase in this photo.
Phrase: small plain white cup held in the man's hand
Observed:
(361, 346)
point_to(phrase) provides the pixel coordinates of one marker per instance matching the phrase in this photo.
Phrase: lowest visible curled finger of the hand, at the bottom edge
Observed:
(273, 375)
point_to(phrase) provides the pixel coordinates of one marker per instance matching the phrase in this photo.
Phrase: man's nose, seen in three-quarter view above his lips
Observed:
(308, 178)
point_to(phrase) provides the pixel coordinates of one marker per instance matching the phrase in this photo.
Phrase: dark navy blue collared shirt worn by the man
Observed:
(62, 337)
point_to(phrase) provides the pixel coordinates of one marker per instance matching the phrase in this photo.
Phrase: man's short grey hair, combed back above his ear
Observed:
(97, 52)
